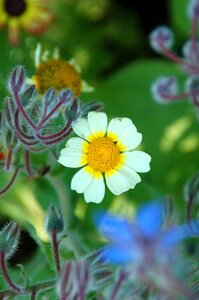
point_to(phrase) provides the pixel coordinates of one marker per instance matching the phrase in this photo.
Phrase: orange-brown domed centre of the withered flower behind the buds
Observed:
(57, 74)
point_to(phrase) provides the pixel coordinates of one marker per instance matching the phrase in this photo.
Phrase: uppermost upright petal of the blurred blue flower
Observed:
(149, 218)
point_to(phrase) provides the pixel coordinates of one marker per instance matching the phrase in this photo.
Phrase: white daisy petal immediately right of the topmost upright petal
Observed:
(117, 126)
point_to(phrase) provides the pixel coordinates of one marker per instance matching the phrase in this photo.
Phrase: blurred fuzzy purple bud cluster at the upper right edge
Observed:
(164, 90)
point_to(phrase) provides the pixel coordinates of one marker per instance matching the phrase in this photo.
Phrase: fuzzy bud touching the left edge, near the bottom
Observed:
(9, 239)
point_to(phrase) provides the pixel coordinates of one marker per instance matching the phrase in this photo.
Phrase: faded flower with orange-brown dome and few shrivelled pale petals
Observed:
(56, 73)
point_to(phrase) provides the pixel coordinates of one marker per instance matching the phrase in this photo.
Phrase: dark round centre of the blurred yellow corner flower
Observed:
(15, 7)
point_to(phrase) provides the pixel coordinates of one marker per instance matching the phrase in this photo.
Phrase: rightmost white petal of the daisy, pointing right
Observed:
(138, 160)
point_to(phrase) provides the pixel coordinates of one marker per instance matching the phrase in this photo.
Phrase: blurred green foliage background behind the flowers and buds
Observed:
(109, 39)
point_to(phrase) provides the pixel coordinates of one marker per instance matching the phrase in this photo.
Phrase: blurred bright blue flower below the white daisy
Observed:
(142, 240)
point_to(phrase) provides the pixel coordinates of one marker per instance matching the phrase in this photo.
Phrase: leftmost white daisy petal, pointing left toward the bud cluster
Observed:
(70, 158)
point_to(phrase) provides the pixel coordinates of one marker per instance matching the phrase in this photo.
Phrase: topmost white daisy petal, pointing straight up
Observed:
(97, 122)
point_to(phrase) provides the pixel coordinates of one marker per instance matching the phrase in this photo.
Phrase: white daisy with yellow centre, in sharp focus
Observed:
(105, 151)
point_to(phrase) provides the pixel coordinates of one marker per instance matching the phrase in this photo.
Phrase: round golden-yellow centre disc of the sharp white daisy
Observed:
(103, 154)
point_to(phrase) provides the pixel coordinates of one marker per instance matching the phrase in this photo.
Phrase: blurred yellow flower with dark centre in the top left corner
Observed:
(28, 15)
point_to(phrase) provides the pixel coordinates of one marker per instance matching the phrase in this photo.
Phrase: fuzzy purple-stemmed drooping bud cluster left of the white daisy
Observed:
(34, 123)
